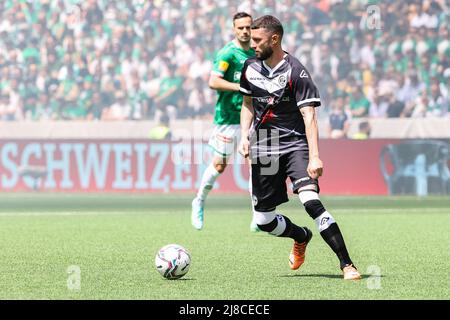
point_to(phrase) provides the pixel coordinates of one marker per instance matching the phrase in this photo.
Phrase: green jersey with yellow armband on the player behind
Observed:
(228, 65)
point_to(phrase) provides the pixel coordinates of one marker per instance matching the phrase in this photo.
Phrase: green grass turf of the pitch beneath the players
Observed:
(113, 239)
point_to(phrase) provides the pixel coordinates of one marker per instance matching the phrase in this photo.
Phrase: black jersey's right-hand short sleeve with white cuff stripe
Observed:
(306, 92)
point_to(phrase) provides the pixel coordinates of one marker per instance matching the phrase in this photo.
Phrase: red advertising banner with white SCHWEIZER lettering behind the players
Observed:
(369, 167)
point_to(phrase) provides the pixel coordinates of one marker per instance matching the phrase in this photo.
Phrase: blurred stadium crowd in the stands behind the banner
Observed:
(140, 59)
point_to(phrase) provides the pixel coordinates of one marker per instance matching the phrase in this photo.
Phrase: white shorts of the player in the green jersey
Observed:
(225, 138)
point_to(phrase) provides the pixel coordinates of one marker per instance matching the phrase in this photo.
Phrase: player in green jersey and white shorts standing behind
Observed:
(225, 78)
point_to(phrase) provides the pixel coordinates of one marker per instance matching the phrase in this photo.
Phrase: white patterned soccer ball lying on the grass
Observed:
(172, 261)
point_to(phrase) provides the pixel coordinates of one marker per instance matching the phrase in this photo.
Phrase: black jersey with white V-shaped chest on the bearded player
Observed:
(277, 95)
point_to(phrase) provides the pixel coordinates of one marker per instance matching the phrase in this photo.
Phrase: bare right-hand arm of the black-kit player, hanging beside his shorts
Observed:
(315, 165)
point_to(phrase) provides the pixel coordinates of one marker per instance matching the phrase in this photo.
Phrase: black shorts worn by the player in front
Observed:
(269, 176)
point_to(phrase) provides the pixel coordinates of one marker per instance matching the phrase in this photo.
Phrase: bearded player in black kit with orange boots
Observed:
(280, 134)
